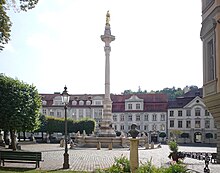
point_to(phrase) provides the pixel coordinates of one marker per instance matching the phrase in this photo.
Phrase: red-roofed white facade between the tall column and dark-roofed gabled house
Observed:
(147, 111)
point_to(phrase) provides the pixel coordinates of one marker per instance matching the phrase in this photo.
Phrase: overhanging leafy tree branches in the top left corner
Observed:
(5, 22)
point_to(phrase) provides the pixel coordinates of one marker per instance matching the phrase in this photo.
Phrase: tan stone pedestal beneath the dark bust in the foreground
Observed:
(134, 161)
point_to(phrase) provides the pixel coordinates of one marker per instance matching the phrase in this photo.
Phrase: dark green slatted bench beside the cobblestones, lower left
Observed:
(20, 157)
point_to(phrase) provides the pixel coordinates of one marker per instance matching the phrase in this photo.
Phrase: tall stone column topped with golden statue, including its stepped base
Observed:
(105, 129)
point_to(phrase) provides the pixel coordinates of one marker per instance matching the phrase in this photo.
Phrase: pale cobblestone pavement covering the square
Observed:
(89, 159)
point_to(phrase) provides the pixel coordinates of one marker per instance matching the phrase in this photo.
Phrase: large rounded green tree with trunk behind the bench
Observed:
(19, 106)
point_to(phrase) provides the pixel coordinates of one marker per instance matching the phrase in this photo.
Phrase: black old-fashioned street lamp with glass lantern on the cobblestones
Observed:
(65, 99)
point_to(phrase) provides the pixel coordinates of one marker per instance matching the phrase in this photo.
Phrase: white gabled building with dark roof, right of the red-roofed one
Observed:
(189, 115)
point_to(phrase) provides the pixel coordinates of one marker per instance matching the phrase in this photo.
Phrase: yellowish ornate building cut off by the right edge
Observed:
(210, 35)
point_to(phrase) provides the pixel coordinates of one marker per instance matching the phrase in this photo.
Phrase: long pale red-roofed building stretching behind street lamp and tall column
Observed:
(148, 111)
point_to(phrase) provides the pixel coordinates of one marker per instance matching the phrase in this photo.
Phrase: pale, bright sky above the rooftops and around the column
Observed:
(58, 43)
